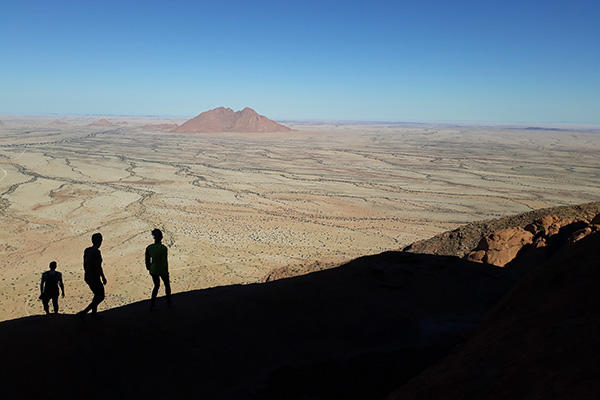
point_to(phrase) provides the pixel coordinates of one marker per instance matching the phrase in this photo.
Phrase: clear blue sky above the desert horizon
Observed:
(428, 60)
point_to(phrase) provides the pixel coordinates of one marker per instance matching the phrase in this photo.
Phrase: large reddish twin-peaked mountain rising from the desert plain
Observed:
(223, 119)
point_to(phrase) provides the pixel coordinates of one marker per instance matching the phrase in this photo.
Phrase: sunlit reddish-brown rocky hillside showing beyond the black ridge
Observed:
(501, 242)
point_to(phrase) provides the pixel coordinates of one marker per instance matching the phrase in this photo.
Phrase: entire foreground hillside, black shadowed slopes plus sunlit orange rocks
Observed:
(419, 326)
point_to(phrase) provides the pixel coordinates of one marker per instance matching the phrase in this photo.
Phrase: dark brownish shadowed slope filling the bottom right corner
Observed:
(542, 341)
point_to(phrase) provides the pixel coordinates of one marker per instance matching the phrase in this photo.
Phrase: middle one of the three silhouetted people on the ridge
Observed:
(94, 276)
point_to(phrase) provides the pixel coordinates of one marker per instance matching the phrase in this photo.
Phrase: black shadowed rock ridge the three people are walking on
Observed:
(357, 331)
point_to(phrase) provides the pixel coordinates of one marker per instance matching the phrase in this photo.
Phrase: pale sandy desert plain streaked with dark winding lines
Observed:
(235, 206)
